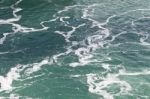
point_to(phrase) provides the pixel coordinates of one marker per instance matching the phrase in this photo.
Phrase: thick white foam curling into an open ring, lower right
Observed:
(99, 87)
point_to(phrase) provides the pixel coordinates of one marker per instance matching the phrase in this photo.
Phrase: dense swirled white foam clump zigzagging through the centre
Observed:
(84, 53)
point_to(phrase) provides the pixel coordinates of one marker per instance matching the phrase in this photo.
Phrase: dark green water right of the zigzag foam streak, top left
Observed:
(34, 13)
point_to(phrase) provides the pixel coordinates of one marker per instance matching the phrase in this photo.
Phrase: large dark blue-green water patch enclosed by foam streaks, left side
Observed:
(30, 48)
